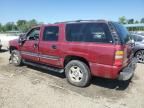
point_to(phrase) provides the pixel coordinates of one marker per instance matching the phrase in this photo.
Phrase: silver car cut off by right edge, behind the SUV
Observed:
(139, 47)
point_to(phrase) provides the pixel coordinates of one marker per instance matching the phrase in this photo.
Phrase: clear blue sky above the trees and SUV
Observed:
(50, 11)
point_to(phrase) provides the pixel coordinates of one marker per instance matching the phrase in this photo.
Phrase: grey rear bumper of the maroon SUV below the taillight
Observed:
(128, 71)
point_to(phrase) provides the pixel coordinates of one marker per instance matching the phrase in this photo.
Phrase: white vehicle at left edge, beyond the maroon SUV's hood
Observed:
(5, 38)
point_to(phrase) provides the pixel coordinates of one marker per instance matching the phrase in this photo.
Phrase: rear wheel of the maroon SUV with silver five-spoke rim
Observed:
(77, 73)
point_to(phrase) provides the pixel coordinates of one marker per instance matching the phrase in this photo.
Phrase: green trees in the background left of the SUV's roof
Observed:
(20, 25)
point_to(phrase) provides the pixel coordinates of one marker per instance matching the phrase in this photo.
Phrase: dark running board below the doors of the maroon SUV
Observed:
(44, 67)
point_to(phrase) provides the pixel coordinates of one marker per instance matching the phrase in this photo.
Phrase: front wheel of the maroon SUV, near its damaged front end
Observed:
(15, 58)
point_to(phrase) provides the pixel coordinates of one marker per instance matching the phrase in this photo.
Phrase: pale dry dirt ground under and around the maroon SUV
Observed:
(29, 87)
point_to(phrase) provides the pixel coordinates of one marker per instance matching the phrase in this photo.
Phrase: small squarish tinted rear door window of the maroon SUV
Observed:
(51, 33)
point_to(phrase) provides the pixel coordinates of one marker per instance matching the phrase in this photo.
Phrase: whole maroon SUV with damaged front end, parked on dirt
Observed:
(81, 49)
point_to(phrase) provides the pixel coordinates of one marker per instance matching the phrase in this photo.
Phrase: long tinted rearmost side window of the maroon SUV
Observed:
(88, 32)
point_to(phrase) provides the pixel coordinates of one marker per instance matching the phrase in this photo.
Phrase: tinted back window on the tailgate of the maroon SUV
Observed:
(125, 37)
